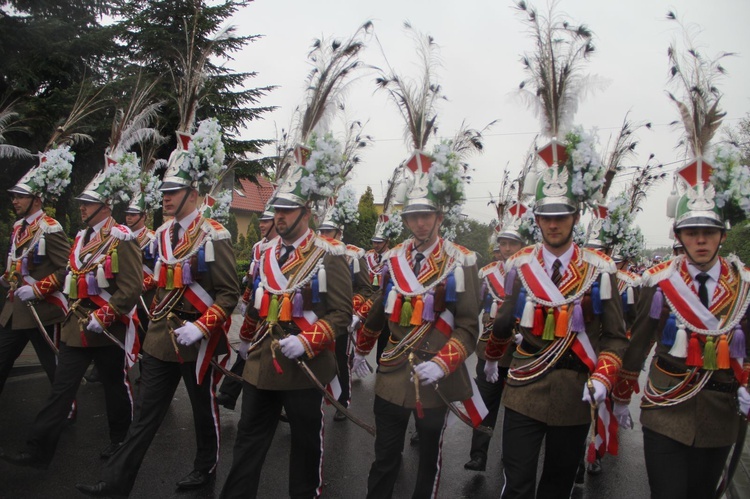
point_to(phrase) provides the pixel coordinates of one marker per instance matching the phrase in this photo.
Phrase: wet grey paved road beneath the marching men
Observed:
(348, 453)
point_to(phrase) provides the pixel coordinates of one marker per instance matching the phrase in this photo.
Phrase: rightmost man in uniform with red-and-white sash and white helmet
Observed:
(695, 307)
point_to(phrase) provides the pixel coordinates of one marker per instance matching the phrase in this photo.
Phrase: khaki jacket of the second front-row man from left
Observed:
(125, 286)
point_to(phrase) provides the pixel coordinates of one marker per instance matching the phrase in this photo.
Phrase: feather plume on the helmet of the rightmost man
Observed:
(695, 76)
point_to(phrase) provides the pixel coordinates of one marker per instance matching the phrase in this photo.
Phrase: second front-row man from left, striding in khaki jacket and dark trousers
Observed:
(103, 285)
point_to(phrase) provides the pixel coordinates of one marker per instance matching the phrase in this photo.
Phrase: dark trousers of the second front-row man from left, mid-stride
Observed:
(71, 366)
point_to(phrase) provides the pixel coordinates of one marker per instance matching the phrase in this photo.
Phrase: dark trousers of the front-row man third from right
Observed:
(391, 421)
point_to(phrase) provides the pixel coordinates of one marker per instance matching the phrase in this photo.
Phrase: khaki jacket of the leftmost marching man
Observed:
(16, 314)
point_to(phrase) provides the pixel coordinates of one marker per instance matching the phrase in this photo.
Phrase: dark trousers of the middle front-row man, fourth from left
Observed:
(260, 416)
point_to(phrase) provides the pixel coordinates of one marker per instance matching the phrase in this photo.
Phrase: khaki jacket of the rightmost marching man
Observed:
(709, 419)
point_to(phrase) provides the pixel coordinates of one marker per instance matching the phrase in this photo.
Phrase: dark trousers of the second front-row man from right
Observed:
(522, 440)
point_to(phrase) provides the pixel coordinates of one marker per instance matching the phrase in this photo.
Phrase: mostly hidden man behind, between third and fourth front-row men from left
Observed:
(231, 388)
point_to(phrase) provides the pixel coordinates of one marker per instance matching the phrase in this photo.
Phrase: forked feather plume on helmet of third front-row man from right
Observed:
(416, 99)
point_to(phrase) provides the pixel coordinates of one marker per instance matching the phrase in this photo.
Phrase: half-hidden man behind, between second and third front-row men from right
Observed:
(508, 241)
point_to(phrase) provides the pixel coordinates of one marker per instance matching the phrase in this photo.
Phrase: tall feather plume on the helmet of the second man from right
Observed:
(555, 82)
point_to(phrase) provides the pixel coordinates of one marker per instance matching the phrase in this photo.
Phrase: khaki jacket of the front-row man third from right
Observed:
(393, 382)
